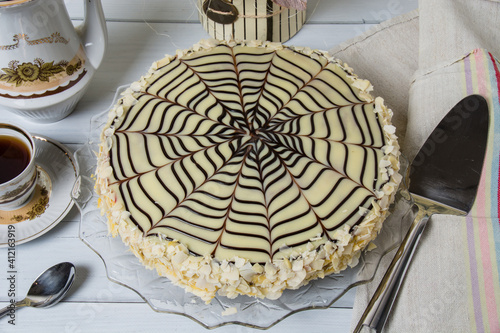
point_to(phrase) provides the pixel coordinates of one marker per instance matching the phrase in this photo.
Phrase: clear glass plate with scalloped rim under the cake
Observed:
(124, 268)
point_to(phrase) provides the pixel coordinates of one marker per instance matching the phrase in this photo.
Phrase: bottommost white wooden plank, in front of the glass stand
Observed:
(112, 317)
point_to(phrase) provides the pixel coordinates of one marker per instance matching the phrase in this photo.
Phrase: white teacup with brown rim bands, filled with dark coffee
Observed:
(18, 174)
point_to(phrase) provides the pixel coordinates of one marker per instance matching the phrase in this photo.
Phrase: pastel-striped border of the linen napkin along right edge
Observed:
(481, 228)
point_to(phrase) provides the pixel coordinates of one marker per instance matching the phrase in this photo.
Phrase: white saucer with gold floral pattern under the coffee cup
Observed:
(57, 173)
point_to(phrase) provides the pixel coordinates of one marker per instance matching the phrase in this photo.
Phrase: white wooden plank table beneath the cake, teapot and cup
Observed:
(140, 32)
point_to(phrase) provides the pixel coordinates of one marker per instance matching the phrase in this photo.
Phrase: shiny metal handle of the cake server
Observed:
(380, 305)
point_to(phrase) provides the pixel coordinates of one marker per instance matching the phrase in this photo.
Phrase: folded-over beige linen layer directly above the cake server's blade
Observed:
(449, 29)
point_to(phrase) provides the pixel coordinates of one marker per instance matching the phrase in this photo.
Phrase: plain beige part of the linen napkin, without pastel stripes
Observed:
(414, 62)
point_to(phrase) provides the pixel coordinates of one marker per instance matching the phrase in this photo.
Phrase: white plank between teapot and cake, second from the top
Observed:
(133, 46)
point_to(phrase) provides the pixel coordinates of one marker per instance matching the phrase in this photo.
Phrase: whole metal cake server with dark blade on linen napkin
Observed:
(444, 177)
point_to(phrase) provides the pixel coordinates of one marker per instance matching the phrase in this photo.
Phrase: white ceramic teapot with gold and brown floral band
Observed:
(45, 63)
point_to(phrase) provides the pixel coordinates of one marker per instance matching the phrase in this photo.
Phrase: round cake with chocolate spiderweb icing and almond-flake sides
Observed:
(247, 168)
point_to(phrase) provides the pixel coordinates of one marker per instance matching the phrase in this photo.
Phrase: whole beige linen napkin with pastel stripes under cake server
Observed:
(453, 283)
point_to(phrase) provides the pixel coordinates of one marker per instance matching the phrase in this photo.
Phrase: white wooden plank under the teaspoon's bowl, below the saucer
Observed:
(58, 245)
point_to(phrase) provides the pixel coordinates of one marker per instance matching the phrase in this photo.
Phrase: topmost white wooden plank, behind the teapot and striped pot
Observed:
(318, 11)
